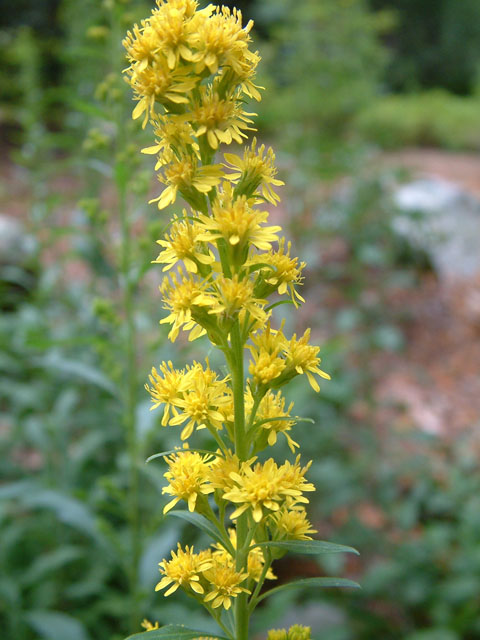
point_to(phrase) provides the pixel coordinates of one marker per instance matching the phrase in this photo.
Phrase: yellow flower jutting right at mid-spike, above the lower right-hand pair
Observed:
(285, 273)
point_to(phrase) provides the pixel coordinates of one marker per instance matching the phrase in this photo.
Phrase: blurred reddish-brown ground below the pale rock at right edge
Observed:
(435, 383)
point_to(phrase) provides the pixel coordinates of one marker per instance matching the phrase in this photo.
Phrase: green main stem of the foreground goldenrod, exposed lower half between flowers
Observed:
(241, 450)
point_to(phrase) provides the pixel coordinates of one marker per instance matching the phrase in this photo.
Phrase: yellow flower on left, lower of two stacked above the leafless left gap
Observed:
(184, 297)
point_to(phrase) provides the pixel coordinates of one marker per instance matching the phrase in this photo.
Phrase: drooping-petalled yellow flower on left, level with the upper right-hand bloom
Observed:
(193, 181)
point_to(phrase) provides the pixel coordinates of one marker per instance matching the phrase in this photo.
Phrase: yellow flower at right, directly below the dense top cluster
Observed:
(222, 120)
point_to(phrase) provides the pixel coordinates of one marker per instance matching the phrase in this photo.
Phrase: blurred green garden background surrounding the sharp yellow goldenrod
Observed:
(373, 108)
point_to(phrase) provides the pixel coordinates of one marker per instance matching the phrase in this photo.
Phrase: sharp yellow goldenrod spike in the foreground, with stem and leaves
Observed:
(191, 71)
